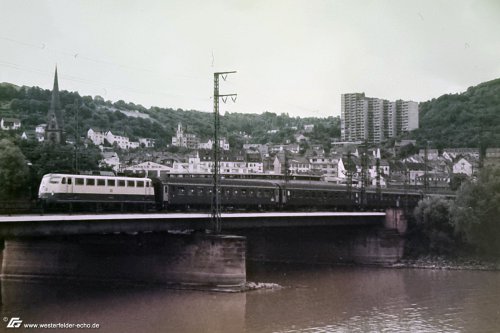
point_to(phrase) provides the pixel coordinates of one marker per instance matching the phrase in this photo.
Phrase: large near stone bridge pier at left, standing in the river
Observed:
(191, 261)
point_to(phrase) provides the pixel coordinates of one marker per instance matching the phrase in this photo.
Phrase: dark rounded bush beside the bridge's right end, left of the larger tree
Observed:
(433, 230)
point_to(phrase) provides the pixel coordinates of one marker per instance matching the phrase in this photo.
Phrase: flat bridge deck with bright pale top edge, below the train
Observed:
(46, 225)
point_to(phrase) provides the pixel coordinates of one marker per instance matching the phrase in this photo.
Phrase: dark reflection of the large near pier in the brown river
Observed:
(121, 309)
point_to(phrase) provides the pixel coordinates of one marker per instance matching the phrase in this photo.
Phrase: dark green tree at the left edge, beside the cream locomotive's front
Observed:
(14, 171)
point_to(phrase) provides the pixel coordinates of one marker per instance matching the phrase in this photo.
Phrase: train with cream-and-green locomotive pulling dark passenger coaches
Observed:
(179, 194)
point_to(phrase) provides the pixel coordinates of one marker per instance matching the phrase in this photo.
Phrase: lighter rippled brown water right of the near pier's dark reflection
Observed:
(348, 299)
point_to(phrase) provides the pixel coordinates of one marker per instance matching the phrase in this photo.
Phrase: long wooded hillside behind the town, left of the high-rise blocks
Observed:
(30, 105)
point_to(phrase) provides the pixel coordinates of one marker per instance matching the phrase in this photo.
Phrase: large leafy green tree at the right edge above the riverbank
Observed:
(476, 212)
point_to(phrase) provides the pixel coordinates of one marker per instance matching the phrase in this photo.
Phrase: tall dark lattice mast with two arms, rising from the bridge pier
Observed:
(216, 219)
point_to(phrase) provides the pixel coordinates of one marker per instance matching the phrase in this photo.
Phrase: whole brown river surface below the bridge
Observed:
(312, 299)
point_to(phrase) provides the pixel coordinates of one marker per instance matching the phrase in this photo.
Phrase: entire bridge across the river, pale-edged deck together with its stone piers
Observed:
(176, 249)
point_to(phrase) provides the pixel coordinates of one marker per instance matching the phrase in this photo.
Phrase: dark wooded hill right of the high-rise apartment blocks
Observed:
(469, 119)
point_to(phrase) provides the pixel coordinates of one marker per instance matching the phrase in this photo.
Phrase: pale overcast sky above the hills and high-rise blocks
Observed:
(291, 56)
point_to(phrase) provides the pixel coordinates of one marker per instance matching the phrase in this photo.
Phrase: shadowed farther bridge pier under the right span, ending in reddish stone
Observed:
(377, 244)
